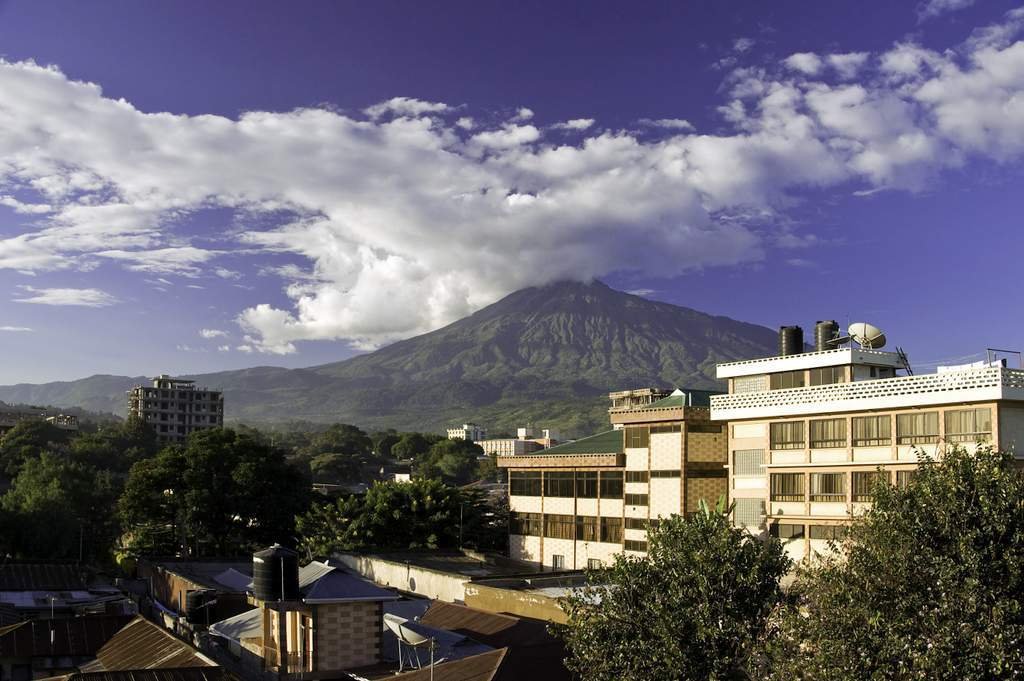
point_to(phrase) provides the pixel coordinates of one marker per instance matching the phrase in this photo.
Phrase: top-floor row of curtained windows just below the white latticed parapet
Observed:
(971, 425)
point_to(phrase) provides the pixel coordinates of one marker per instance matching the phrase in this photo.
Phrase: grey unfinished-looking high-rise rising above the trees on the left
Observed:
(176, 408)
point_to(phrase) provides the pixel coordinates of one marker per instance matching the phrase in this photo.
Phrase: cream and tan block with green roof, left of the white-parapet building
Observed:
(577, 505)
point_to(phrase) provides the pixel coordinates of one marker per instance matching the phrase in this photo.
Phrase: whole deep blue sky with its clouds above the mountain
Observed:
(190, 187)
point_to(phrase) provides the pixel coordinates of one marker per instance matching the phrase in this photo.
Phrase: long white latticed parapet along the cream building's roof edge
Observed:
(968, 386)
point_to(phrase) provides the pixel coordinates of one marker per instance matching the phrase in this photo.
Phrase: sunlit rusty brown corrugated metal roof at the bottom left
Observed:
(143, 645)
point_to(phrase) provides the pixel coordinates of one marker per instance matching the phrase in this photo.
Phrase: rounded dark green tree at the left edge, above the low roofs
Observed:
(60, 509)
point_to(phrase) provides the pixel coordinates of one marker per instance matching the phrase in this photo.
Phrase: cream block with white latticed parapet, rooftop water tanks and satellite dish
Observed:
(810, 432)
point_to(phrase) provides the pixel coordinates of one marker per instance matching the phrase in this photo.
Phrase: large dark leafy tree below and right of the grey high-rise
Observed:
(222, 494)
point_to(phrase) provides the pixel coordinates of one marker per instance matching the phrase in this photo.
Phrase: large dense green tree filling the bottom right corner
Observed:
(929, 583)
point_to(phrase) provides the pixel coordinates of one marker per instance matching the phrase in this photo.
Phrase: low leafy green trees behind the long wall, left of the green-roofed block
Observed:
(421, 515)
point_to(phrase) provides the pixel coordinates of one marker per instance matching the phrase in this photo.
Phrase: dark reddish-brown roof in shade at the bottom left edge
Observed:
(72, 636)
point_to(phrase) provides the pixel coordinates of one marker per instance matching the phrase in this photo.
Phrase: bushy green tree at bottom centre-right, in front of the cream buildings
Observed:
(693, 610)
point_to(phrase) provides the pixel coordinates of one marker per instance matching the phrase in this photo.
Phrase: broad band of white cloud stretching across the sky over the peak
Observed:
(401, 222)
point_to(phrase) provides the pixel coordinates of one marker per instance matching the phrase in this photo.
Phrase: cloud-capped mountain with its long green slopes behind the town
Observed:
(547, 356)
